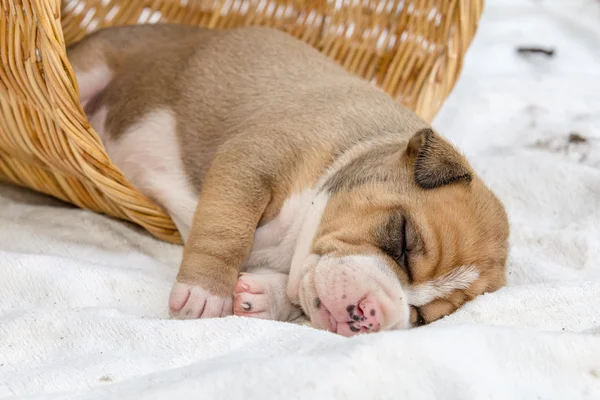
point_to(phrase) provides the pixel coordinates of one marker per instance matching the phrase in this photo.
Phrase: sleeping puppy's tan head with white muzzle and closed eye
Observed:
(409, 234)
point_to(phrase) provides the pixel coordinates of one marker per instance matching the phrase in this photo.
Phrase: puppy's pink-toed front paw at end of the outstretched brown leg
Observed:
(189, 301)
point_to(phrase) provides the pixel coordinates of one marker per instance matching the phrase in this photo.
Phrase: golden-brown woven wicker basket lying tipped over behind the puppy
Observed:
(413, 49)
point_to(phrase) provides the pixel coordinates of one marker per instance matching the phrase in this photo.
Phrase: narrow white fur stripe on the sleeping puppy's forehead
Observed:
(459, 278)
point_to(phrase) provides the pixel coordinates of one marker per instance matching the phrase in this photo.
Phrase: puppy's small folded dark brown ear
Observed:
(436, 162)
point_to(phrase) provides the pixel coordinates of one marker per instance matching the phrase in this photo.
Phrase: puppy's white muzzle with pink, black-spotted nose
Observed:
(353, 294)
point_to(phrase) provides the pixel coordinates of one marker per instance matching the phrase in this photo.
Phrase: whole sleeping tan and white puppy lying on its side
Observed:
(296, 186)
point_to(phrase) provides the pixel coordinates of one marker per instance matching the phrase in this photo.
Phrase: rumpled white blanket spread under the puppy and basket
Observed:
(83, 297)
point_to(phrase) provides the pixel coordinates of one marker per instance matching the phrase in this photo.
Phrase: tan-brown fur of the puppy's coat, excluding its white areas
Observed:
(261, 116)
